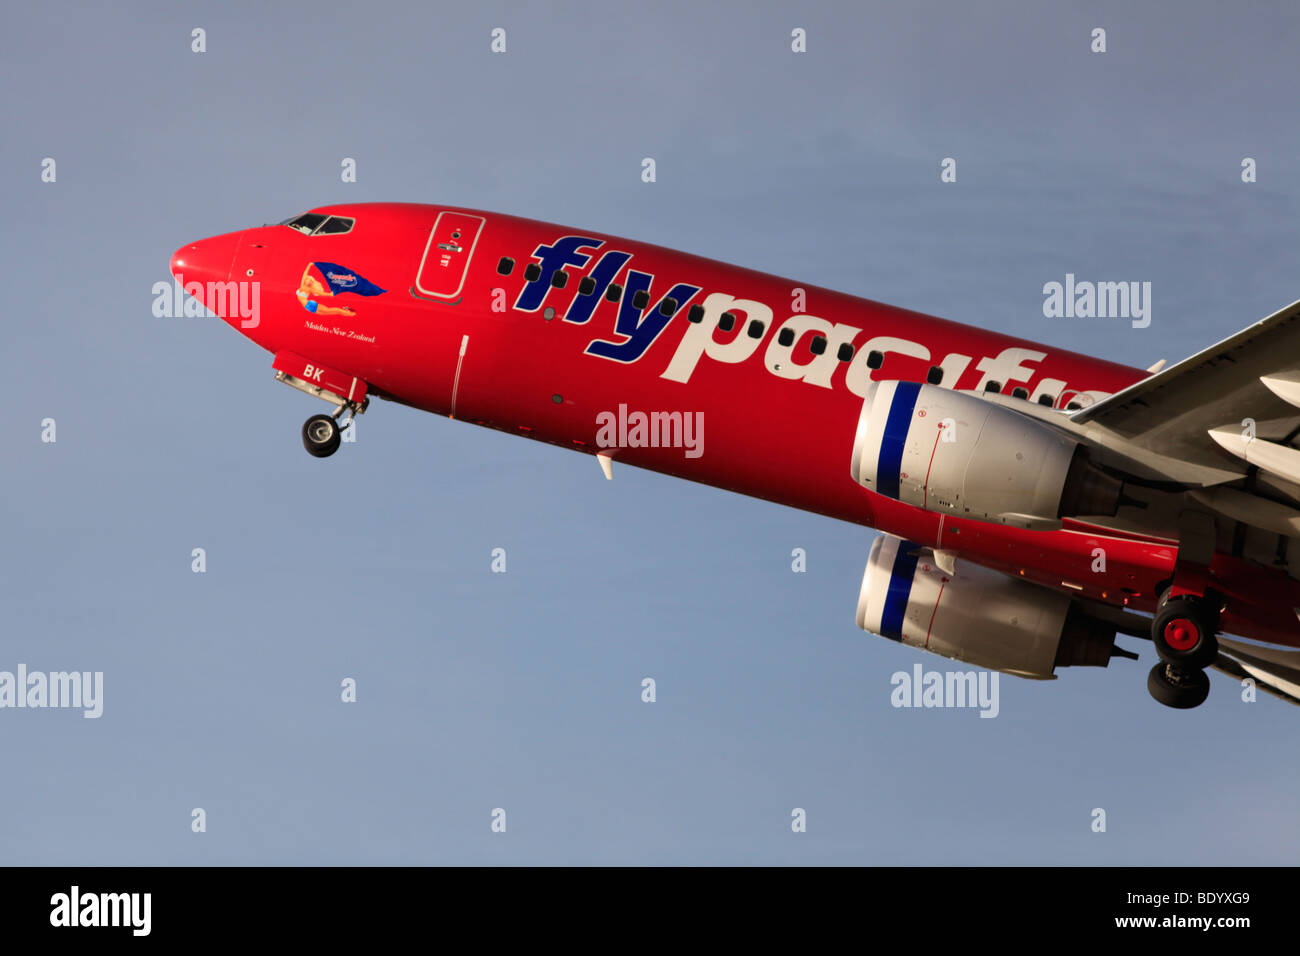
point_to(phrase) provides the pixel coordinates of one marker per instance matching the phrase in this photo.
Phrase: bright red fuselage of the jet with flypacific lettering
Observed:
(461, 313)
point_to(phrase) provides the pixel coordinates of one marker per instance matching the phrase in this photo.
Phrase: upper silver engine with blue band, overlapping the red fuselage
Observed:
(951, 452)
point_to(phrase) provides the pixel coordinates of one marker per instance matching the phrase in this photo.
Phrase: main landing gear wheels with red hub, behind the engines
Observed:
(1184, 633)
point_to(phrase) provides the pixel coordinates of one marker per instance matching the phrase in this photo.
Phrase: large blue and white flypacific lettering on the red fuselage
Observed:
(643, 318)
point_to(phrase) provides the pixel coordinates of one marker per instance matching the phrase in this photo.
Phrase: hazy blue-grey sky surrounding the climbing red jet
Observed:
(523, 691)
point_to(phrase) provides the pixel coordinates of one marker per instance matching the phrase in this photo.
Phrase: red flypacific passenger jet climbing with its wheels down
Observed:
(1033, 503)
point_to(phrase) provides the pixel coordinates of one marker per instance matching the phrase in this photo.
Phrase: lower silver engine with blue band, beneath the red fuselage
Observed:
(977, 616)
